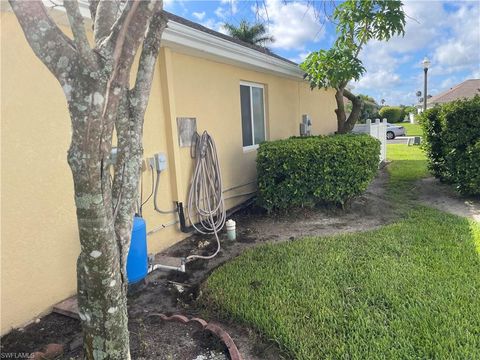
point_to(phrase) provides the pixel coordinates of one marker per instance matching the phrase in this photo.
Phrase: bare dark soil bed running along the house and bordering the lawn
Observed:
(177, 293)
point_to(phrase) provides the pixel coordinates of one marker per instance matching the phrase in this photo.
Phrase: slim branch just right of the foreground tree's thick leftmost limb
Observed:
(79, 35)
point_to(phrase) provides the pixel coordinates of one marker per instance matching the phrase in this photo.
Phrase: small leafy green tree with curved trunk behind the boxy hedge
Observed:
(357, 22)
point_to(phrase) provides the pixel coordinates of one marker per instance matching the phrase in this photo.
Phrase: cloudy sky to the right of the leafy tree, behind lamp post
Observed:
(448, 33)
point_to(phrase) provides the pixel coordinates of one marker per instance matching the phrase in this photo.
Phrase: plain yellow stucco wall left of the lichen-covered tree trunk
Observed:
(39, 239)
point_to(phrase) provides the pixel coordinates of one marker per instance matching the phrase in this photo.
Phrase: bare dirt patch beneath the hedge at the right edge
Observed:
(443, 197)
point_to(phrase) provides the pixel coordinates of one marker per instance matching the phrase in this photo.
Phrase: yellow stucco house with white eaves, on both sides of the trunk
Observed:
(239, 93)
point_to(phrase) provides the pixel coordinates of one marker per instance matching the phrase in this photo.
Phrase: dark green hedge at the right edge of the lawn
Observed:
(452, 134)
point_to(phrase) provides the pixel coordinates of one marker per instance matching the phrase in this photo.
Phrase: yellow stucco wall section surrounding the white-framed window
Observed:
(210, 92)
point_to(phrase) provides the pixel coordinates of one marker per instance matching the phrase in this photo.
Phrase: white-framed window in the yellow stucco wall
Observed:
(253, 114)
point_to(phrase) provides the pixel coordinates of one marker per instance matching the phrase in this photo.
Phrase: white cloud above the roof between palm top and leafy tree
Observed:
(292, 24)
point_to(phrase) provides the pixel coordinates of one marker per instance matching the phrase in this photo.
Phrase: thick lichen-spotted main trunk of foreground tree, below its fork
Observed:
(101, 284)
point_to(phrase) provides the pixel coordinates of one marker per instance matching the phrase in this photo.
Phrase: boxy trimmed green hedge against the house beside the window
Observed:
(308, 171)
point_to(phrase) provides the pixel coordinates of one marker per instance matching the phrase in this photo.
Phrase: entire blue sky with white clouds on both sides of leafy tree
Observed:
(447, 32)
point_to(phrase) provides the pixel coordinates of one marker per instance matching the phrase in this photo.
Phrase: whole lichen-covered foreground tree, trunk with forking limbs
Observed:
(96, 83)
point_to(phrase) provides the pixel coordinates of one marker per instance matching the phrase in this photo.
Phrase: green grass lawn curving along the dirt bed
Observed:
(409, 290)
